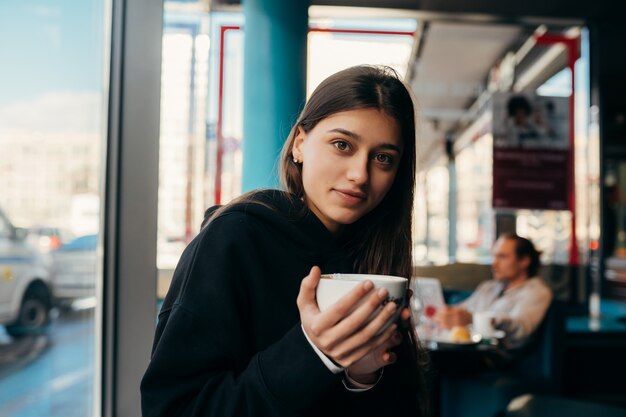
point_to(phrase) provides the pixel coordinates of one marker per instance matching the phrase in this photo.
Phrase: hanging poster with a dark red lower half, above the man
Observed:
(530, 151)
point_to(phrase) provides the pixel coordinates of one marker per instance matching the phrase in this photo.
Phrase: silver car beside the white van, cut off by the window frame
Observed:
(74, 269)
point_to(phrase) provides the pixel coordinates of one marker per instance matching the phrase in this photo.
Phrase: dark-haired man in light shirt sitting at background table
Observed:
(517, 296)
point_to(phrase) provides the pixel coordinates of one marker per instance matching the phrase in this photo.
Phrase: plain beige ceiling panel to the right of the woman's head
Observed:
(450, 71)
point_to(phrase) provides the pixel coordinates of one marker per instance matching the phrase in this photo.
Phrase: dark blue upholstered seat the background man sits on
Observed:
(536, 368)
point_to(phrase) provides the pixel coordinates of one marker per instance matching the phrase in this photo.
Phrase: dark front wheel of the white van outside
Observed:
(34, 315)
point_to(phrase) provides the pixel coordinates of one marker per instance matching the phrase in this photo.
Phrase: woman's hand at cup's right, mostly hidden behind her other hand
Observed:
(366, 369)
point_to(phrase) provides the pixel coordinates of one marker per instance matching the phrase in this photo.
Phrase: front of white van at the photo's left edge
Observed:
(25, 296)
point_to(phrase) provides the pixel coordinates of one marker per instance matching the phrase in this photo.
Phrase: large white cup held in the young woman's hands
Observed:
(334, 286)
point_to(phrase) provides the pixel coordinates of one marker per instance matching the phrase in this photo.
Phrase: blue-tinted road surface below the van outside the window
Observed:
(50, 374)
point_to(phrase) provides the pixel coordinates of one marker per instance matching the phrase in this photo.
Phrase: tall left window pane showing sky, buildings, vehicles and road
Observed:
(51, 140)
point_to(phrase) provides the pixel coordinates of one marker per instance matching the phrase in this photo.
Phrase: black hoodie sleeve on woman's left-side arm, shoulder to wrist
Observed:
(202, 363)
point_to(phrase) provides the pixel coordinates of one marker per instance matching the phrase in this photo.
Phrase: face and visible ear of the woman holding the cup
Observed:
(349, 162)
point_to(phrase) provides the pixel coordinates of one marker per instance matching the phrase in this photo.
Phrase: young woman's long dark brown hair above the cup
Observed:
(381, 241)
